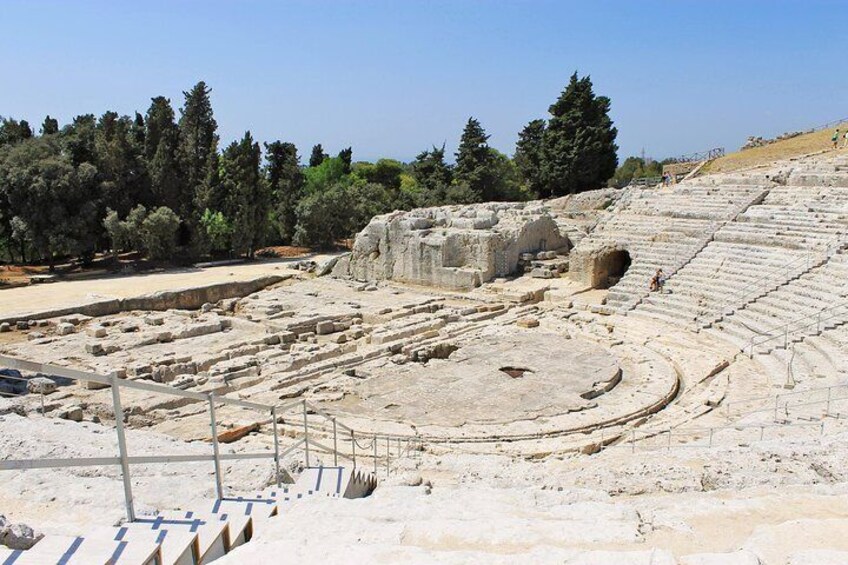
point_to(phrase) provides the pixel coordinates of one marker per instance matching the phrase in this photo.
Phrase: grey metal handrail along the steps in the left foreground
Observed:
(405, 445)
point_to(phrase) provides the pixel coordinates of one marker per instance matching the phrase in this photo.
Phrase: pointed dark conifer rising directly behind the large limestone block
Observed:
(474, 163)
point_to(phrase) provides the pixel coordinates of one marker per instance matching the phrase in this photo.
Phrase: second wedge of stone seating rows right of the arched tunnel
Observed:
(768, 246)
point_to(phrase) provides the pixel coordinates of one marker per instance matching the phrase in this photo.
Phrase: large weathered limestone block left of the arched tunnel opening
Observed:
(457, 247)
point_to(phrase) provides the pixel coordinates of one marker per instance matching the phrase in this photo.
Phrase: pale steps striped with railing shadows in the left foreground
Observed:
(192, 536)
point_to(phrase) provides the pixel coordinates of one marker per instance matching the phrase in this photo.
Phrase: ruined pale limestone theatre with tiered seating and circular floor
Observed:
(486, 383)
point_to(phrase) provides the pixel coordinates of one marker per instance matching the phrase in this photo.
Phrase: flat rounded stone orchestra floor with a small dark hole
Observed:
(501, 376)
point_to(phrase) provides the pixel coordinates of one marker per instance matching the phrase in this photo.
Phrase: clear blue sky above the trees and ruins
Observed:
(391, 78)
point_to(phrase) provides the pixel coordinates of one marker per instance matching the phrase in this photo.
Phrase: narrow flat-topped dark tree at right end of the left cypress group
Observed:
(285, 186)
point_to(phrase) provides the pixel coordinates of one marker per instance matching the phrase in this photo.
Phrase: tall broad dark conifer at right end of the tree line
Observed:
(579, 150)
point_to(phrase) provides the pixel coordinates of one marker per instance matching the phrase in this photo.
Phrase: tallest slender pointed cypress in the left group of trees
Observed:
(198, 147)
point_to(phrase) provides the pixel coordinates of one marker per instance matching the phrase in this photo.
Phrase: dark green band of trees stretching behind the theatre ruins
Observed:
(158, 183)
